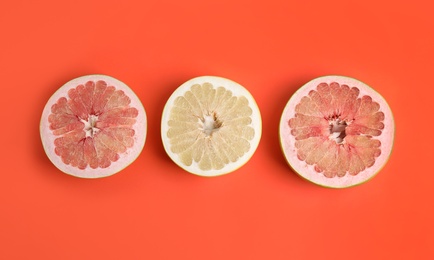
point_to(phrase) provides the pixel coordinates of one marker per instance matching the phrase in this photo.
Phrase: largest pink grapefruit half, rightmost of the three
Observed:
(336, 131)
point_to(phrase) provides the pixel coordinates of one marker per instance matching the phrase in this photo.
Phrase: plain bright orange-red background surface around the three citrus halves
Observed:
(155, 210)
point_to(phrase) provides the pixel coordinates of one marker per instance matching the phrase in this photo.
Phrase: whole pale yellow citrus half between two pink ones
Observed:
(210, 126)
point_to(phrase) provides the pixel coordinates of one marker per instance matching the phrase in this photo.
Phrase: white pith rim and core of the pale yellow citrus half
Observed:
(208, 125)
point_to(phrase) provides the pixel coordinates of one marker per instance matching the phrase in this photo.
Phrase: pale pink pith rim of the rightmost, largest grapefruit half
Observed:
(307, 171)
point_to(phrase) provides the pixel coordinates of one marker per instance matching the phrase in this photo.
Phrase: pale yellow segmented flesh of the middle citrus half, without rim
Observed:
(210, 126)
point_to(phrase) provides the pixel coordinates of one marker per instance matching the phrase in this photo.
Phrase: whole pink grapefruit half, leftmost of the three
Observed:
(93, 126)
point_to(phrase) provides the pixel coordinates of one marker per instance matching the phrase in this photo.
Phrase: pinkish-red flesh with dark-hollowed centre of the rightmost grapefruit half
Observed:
(335, 130)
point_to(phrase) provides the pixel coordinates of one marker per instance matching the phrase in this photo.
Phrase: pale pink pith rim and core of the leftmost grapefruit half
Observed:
(140, 128)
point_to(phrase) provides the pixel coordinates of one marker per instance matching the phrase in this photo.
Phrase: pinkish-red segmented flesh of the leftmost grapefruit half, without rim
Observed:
(93, 124)
